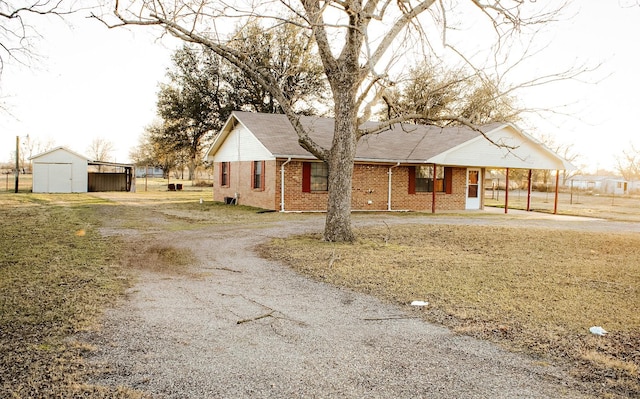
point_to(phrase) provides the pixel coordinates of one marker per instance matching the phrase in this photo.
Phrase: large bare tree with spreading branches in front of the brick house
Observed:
(363, 45)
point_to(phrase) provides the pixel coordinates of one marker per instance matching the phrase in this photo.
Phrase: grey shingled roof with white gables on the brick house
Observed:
(403, 143)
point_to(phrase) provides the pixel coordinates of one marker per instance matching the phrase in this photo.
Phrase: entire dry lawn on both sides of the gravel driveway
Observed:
(531, 290)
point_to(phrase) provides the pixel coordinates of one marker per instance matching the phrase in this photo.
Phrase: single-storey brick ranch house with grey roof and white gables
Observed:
(257, 162)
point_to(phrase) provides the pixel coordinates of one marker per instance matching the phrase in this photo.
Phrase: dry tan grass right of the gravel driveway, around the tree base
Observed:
(531, 289)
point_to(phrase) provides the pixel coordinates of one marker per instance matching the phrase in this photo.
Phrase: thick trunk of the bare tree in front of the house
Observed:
(340, 162)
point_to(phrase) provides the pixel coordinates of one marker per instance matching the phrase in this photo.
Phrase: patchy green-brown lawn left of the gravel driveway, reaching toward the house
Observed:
(58, 273)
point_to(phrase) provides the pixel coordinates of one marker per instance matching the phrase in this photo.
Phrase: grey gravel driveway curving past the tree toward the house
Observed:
(238, 326)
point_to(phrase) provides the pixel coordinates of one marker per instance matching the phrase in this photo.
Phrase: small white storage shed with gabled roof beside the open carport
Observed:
(60, 170)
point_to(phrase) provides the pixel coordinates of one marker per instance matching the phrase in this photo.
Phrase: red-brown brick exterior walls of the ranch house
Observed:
(369, 191)
